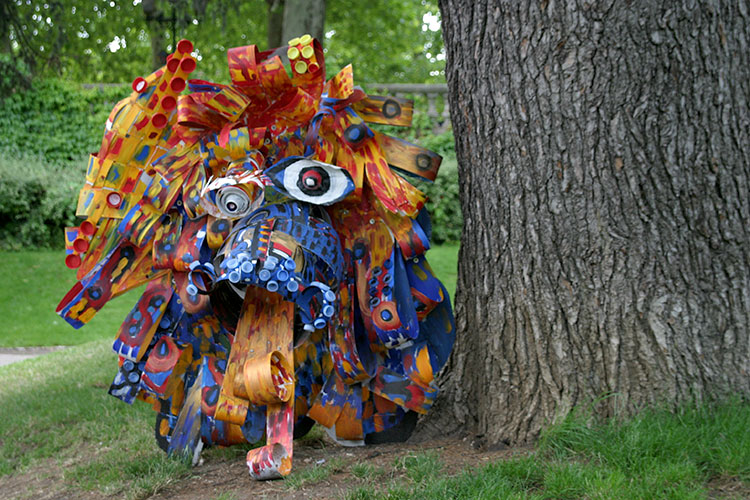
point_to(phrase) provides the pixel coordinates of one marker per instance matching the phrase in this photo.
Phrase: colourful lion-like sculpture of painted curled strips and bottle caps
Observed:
(284, 256)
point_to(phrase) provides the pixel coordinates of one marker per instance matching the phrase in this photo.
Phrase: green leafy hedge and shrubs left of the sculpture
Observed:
(46, 132)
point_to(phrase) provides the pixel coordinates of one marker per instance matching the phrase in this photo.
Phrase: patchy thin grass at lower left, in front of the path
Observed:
(62, 417)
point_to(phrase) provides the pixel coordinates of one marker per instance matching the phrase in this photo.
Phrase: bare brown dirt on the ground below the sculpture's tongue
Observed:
(228, 476)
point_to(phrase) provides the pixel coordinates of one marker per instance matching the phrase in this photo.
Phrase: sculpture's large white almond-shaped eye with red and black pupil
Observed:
(311, 181)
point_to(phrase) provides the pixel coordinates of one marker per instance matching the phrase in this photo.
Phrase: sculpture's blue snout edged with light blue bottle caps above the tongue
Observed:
(287, 249)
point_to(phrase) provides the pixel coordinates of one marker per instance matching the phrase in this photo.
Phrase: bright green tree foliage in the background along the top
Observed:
(110, 40)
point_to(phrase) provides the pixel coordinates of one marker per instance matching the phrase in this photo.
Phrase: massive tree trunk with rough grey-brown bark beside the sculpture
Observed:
(605, 172)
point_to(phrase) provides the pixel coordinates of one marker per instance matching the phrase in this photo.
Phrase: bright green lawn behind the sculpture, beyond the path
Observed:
(36, 281)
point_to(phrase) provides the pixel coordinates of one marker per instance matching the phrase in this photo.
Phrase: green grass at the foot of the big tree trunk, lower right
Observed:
(658, 454)
